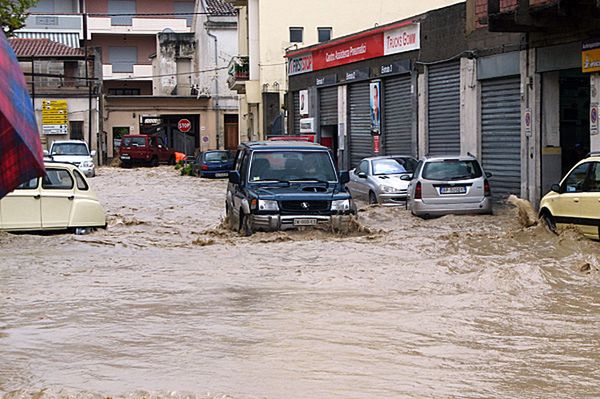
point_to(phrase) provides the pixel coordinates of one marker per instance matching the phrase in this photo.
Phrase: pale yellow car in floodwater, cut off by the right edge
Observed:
(576, 200)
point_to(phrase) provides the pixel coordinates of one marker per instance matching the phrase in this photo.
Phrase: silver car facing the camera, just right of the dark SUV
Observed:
(382, 179)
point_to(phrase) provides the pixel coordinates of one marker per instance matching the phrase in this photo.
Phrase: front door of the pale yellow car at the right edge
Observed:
(567, 209)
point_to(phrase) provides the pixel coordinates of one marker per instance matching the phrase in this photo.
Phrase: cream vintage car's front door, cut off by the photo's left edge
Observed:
(21, 209)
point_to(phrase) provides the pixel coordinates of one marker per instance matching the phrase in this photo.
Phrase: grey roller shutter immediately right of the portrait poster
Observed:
(398, 116)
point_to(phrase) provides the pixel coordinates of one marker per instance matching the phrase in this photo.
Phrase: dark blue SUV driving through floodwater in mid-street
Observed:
(284, 185)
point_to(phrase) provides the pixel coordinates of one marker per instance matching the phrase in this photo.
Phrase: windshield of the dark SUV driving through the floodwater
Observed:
(292, 165)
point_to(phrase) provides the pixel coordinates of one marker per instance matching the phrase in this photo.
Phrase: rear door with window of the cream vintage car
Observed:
(57, 198)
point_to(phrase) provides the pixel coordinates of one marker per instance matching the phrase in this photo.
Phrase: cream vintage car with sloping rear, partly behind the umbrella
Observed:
(61, 200)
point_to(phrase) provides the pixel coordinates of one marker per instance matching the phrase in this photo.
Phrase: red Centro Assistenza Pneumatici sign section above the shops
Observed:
(355, 50)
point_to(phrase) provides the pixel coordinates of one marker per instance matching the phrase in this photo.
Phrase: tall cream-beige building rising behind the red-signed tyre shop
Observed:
(267, 28)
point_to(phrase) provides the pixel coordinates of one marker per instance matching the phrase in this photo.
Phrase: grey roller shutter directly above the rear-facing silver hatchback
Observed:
(444, 108)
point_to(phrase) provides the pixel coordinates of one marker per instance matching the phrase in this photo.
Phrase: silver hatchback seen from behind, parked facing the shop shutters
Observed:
(449, 185)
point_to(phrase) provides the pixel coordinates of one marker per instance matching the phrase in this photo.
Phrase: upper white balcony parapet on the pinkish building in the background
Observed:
(139, 26)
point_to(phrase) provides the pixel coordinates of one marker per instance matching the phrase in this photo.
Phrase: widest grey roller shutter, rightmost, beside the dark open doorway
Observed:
(501, 134)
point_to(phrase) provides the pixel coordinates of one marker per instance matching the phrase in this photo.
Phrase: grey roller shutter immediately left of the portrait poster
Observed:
(360, 140)
